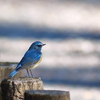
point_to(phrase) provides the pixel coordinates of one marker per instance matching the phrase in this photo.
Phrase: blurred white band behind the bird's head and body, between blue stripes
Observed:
(60, 53)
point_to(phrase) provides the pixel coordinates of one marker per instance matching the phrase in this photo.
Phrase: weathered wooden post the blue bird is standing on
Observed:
(13, 89)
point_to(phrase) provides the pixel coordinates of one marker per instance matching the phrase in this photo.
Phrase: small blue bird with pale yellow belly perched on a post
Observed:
(31, 59)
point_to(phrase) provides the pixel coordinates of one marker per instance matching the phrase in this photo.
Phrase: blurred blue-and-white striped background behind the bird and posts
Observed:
(71, 31)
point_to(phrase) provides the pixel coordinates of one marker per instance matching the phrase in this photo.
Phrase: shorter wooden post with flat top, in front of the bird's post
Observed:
(46, 95)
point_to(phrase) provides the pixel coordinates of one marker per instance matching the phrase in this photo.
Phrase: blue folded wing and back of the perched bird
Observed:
(29, 57)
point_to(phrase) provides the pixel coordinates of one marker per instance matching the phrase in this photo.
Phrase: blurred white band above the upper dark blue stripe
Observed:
(57, 14)
